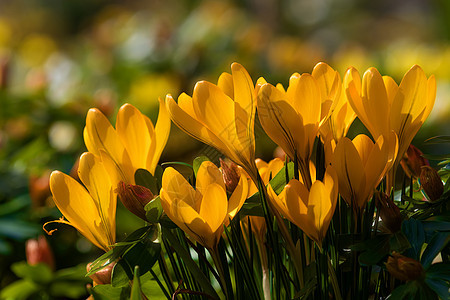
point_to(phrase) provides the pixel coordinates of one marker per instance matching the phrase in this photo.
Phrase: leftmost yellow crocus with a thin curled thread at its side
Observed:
(93, 211)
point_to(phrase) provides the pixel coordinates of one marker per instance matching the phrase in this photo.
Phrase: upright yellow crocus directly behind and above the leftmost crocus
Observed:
(134, 144)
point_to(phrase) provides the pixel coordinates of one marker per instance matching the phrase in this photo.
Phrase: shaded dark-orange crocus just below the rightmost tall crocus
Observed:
(360, 165)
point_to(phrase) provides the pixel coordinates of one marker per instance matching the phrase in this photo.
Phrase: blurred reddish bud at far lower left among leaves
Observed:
(38, 251)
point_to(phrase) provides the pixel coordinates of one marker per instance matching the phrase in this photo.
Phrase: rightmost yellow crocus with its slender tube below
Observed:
(384, 106)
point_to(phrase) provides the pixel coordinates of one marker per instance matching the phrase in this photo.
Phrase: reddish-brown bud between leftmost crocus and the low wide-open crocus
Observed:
(134, 198)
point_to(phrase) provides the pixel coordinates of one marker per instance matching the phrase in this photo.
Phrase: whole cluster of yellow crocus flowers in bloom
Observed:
(317, 105)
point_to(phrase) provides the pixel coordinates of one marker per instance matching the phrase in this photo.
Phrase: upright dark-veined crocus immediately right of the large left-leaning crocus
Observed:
(291, 118)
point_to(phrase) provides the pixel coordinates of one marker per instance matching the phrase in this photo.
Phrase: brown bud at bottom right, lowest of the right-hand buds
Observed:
(404, 268)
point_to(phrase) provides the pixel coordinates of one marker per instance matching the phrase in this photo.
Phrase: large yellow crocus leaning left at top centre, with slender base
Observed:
(221, 116)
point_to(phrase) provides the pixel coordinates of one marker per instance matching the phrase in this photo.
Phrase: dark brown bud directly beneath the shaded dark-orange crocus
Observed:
(389, 212)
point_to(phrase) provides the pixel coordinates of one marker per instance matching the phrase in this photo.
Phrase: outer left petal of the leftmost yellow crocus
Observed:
(78, 207)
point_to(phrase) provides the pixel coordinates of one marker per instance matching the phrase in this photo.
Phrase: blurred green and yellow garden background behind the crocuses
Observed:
(60, 58)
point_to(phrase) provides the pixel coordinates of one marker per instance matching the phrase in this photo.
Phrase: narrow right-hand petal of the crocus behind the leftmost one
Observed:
(162, 131)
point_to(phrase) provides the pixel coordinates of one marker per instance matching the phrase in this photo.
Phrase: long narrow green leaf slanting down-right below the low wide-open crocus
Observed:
(190, 264)
